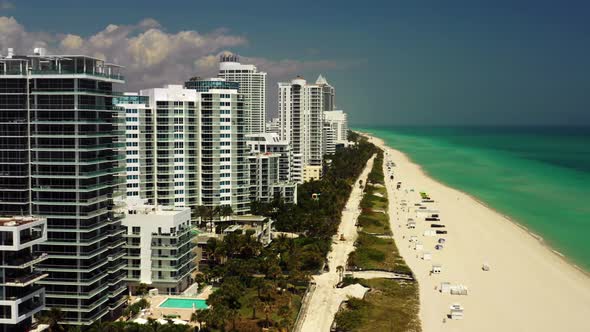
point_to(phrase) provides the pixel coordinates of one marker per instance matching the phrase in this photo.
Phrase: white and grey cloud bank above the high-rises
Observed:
(152, 56)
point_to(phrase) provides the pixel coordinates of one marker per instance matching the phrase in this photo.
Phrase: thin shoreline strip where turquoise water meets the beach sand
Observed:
(537, 237)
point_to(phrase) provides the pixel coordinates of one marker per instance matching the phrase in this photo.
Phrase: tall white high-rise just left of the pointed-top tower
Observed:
(301, 114)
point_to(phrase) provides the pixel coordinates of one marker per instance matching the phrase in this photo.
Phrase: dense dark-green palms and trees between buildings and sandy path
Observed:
(262, 287)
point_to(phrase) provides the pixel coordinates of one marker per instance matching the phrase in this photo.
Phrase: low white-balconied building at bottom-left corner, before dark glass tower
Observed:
(20, 296)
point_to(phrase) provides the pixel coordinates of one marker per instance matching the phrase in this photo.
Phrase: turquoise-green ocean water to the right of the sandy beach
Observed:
(540, 177)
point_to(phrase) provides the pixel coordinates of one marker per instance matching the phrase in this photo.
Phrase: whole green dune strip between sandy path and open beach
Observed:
(390, 305)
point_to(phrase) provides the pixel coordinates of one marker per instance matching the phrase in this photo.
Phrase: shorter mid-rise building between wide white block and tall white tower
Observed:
(270, 160)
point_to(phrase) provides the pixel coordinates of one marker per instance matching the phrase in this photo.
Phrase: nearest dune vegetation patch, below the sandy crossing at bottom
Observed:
(390, 305)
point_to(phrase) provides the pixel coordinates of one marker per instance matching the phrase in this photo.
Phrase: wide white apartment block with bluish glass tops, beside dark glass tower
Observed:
(186, 145)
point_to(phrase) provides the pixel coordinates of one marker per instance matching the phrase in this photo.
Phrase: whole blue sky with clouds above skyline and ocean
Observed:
(452, 62)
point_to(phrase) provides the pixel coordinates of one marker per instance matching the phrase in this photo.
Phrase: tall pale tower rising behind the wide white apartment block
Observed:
(252, 86)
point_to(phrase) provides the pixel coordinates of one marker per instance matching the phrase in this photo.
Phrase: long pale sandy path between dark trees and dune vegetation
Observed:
(325, 300)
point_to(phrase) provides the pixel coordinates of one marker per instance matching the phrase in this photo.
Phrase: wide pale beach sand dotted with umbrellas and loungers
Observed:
(529, 288)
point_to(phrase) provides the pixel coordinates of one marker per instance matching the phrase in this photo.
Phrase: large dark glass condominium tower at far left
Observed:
(60, 160)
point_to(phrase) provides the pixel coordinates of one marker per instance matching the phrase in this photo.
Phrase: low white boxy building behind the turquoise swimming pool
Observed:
(160, 247)
